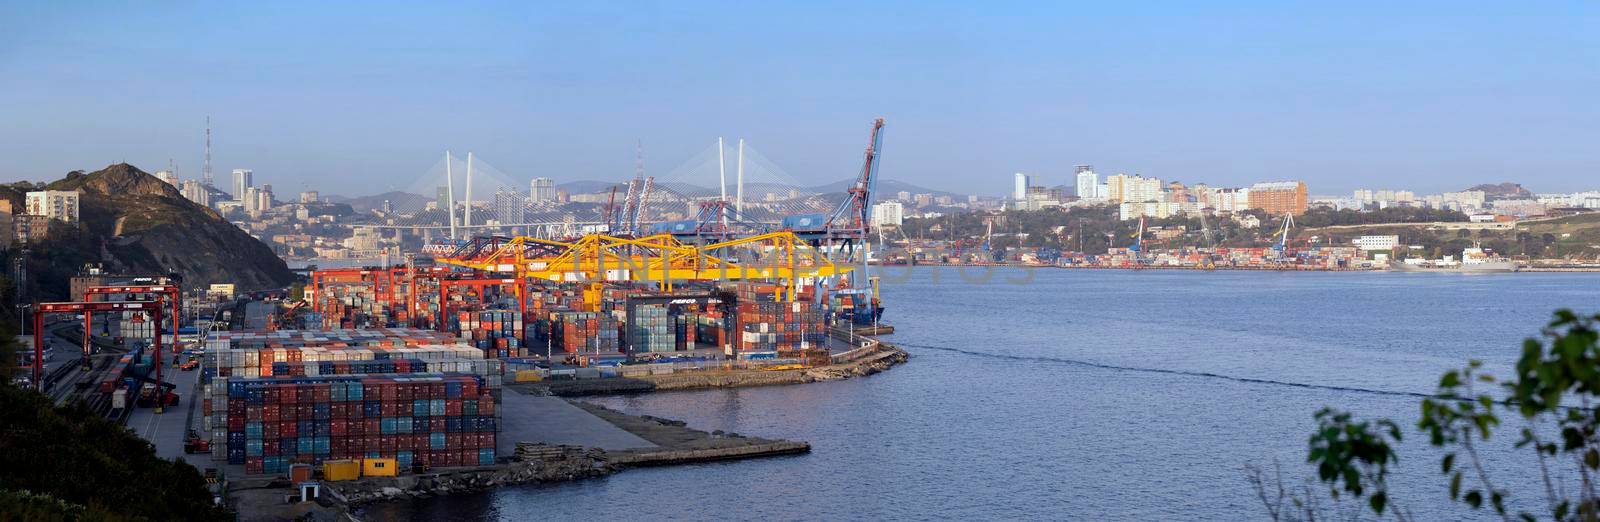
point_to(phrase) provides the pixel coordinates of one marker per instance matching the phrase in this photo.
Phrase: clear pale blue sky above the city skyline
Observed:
(359, 98)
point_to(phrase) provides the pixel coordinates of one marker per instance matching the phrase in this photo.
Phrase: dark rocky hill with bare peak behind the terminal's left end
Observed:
(135, 223)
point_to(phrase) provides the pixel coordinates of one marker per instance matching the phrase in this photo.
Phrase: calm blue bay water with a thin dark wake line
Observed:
(1084, 395)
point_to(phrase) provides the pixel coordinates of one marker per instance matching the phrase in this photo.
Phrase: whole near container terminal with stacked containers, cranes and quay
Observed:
(447, 363)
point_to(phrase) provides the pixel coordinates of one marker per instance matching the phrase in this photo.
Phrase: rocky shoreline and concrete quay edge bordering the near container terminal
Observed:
(543, 464)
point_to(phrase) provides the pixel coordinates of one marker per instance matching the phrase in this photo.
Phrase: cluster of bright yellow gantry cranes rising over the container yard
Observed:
(654, 259)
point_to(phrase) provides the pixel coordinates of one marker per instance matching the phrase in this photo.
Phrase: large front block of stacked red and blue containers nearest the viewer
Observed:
(438, 420)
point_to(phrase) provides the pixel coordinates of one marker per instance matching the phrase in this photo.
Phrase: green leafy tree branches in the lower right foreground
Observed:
(1556, 390)
